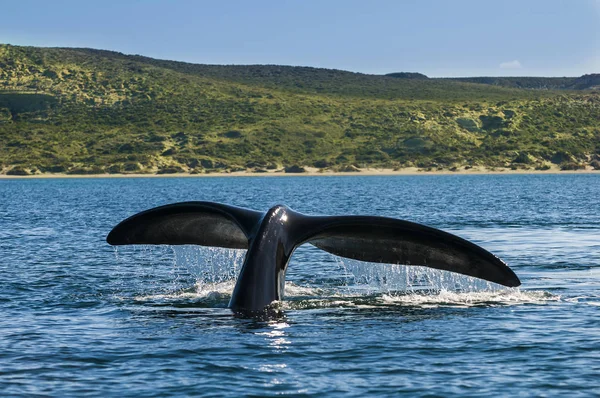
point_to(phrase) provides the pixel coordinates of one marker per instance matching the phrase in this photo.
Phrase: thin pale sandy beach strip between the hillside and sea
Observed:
(310, 173)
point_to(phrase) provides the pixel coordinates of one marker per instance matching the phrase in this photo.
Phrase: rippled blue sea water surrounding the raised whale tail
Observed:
(78, 317)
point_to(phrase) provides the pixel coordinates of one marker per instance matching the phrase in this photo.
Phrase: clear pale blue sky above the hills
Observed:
(435, 37)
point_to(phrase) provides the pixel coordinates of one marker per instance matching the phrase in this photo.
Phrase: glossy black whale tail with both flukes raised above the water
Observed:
(272, 237)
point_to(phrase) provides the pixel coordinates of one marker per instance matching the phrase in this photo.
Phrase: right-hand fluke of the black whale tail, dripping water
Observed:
(392, 241)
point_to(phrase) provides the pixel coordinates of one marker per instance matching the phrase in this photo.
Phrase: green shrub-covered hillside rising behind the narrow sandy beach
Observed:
(90, 111)
